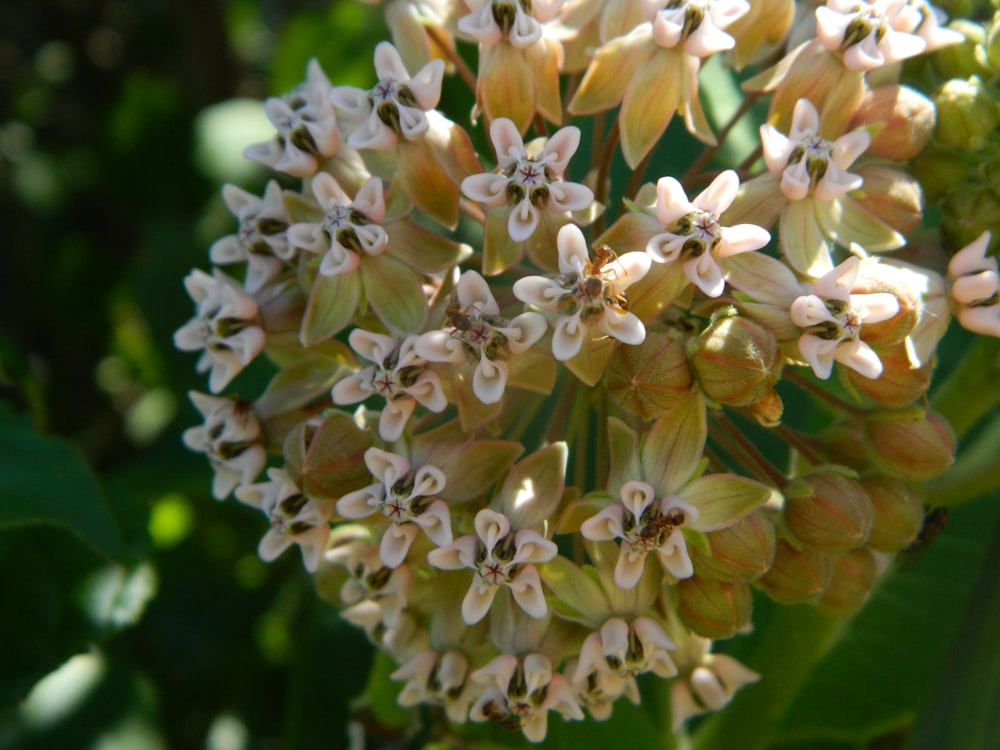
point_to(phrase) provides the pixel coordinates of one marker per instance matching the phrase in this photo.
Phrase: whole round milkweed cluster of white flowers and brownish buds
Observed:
(503, 446)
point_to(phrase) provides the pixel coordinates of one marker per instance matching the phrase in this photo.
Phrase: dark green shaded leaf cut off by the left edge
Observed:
(44, 480)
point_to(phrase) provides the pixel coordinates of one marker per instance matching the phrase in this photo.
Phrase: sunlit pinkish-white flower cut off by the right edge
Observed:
(975, 287)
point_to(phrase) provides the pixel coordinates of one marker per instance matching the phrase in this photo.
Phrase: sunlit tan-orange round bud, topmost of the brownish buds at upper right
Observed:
(900, 118)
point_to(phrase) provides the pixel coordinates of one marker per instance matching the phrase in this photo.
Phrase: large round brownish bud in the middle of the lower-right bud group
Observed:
(828, 510)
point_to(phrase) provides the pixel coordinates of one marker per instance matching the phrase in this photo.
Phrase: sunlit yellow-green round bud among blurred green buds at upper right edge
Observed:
(968, 113)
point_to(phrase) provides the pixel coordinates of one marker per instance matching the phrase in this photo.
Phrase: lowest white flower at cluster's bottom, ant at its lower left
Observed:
(520, 691)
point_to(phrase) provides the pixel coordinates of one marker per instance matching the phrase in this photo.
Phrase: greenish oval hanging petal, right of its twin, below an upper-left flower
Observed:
(395, 293)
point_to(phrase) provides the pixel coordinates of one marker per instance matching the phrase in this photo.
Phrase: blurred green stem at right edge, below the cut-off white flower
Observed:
(972, 390)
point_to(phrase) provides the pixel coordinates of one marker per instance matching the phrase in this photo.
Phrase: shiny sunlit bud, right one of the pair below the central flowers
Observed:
(737, 361)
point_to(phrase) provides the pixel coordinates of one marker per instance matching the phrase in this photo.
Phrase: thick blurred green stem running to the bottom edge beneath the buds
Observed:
(793, 642)
